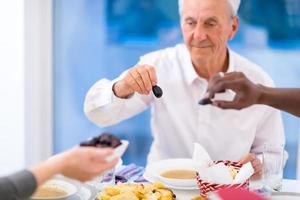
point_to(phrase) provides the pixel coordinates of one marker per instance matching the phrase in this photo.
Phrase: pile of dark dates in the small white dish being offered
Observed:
(103, 140)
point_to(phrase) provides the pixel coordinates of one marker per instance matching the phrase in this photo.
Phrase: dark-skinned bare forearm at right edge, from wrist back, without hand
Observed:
(284, 99)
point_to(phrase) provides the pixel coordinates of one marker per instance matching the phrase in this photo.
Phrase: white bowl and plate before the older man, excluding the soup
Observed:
(153, 171)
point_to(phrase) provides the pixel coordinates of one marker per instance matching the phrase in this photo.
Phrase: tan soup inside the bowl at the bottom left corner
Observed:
(50, 192)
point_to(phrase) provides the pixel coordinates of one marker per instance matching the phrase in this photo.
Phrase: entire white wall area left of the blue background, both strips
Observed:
(25, 83)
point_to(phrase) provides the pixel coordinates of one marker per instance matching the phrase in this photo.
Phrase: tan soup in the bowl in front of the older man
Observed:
(179, 174)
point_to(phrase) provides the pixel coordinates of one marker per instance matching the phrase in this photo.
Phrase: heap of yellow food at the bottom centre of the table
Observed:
(137, 191)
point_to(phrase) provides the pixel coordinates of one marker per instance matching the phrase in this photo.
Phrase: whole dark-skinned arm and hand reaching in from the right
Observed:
(248, 93)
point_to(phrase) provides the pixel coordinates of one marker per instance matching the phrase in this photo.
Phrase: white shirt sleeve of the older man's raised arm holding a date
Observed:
(104, 108)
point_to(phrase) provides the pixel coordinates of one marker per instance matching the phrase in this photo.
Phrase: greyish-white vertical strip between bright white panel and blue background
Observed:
(38, 80)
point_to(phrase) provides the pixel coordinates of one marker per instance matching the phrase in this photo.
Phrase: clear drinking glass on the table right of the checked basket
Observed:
(273, 161)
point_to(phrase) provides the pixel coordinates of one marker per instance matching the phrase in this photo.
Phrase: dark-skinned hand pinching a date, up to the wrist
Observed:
(247, 93)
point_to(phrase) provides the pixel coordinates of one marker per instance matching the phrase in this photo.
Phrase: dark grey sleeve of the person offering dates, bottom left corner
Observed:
(20, 185)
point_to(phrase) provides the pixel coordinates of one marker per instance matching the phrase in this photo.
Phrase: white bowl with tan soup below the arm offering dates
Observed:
(55, 189)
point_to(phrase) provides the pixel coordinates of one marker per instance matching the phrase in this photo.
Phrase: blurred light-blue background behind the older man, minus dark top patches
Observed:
(84, 52)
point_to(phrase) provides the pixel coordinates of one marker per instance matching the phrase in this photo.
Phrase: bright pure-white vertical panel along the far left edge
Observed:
(11, 86)
